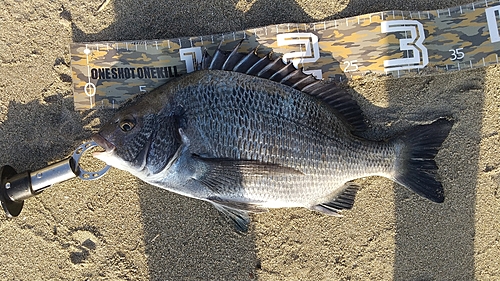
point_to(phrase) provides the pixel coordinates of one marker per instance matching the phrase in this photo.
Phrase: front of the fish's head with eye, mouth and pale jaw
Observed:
(126, 139)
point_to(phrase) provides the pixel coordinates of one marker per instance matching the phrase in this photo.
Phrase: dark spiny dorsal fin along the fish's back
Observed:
(276, 70)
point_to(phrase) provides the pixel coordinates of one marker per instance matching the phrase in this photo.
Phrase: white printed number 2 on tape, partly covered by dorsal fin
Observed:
(310, 54)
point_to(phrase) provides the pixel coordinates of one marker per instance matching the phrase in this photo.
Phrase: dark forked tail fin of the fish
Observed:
(416, 168)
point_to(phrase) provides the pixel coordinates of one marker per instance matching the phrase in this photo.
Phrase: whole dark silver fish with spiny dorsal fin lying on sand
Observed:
(249, 133)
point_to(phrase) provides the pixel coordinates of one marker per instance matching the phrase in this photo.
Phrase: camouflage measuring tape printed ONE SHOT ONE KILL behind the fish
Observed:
(391, 42)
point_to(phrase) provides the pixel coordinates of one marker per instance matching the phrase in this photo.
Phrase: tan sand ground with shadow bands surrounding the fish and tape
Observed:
(118, 228)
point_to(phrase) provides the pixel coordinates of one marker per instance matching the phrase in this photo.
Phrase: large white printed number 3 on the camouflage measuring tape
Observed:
(413, 43)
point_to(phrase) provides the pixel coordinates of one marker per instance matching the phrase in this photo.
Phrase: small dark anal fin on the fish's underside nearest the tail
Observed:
(344, 201)
